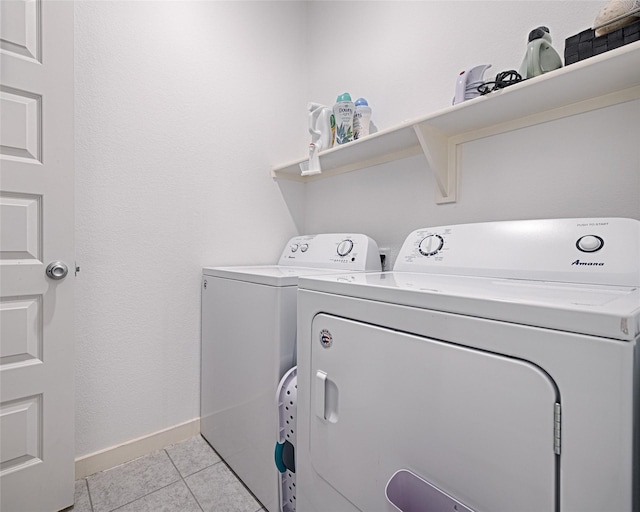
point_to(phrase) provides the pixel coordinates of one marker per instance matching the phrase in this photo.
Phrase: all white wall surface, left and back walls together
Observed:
(182, 108)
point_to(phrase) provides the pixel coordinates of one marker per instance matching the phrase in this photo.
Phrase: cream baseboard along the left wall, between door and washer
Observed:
(116, 455)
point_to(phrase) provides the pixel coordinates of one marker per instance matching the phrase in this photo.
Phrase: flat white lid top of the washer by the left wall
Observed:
(270, 275)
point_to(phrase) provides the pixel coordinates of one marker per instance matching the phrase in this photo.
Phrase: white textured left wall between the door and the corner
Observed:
(181, 109)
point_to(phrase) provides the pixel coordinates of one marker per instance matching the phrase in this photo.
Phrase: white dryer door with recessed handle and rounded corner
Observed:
(478, 426)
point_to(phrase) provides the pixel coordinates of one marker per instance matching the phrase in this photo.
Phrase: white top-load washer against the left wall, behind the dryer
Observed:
(248, 343)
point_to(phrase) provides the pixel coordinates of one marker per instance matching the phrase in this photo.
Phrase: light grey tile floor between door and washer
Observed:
(184, 477)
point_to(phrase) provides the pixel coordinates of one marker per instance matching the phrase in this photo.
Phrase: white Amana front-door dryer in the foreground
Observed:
(496, 369)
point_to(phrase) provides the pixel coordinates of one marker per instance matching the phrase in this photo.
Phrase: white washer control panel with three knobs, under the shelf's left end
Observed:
(351, 251)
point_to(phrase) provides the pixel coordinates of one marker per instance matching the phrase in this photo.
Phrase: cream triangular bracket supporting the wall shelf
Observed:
(442, 156)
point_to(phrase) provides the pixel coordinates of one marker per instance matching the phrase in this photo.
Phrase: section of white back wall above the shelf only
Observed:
(405, 56)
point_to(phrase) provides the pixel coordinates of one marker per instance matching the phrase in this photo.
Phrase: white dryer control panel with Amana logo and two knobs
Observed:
(592, 250)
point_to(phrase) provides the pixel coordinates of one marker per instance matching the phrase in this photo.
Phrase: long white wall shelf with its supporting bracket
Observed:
(597, 82)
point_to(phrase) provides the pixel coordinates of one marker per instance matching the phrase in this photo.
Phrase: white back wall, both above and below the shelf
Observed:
(405, 62)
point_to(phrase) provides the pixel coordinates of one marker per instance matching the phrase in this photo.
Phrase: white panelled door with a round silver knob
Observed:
(36, 228)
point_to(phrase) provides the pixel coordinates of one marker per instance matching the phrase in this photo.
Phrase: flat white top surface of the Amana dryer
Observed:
(599, 310)
